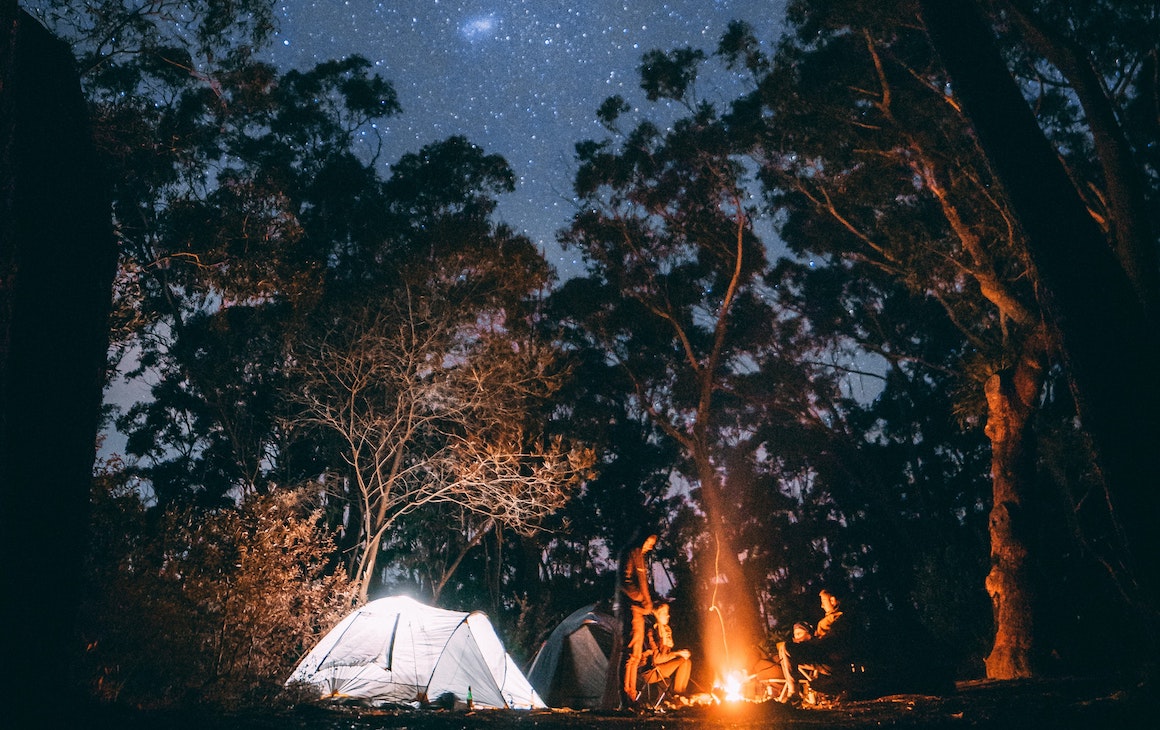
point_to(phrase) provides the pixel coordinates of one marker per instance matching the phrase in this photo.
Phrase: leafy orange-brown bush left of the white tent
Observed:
(206, 609)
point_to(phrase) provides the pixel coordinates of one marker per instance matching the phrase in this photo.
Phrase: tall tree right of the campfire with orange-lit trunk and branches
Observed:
(868, 155)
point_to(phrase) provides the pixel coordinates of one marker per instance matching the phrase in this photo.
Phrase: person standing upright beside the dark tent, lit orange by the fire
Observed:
(634, 605)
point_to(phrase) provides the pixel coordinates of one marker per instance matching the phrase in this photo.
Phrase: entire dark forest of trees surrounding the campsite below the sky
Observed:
(886, 322)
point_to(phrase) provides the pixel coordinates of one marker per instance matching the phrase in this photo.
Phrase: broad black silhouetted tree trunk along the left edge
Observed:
(57, 261)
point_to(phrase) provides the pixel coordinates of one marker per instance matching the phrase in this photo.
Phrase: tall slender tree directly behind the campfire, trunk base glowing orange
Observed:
(679, 323)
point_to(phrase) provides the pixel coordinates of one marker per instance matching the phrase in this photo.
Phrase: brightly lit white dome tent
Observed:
(397, 651)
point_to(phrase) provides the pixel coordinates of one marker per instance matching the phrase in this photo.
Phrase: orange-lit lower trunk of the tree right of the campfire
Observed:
(1012, 400)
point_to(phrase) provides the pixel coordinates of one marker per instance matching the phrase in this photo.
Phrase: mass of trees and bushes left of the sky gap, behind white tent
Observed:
(266, 254)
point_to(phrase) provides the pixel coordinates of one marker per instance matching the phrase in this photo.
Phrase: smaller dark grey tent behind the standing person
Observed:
(571, 669)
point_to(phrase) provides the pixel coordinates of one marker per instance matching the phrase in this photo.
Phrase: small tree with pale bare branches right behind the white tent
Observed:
(431, 409)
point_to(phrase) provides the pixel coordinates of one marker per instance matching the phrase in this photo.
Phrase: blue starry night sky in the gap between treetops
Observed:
(519, 78)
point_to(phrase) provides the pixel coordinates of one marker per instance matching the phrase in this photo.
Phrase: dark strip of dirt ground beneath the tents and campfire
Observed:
(1056, 705)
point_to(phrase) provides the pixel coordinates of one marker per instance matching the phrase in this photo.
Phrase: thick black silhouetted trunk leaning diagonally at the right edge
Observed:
(1090, 298)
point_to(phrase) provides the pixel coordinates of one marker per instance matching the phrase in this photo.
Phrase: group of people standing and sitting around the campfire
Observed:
(649, 652)
